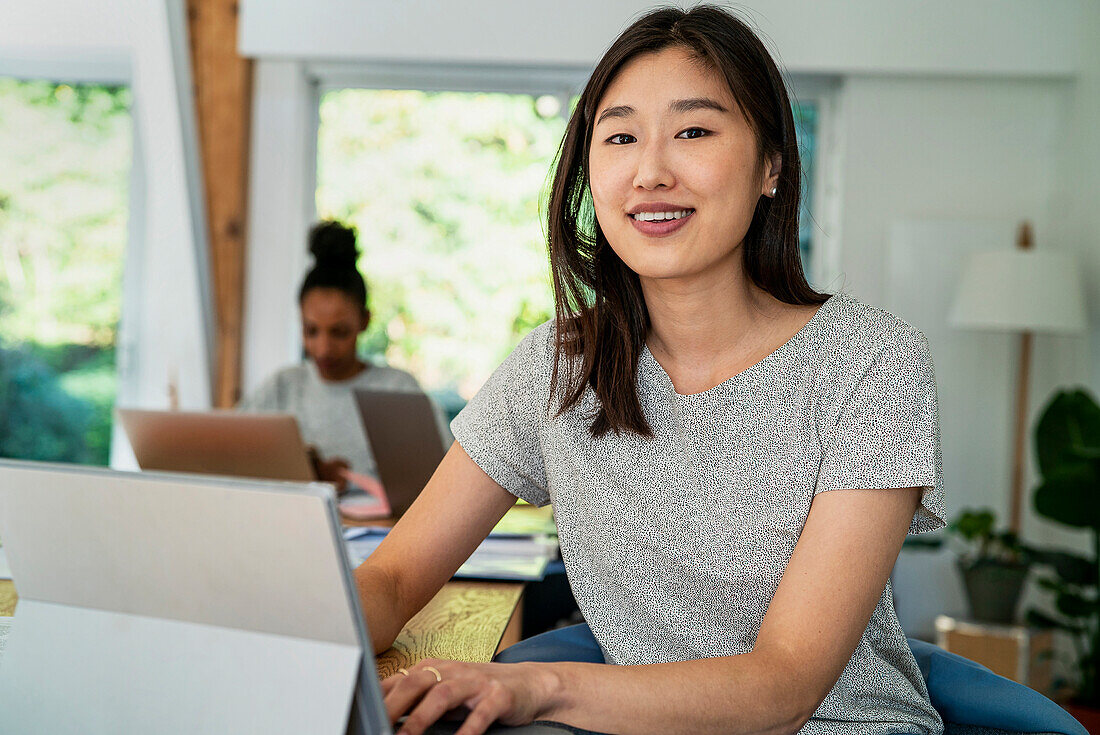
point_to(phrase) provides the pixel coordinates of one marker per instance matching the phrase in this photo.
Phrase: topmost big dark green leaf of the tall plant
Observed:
(1070, 424)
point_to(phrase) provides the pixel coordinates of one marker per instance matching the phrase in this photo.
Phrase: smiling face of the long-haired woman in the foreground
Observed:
(672, 146)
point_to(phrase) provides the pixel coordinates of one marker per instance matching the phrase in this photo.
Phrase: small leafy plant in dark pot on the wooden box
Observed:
(994, 564)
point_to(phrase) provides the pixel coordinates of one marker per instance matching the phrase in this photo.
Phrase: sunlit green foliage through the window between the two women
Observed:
(445, 189)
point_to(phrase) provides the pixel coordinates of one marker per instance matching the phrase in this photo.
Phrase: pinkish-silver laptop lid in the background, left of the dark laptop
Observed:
(225, 443)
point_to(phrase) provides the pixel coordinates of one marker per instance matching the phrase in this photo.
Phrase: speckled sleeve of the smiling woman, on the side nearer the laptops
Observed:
(501, 426)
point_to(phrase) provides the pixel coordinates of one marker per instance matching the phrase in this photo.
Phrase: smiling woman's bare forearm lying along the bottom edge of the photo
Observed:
(746, 694)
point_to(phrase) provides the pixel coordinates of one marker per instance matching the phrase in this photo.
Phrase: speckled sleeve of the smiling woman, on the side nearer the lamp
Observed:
(882, 429)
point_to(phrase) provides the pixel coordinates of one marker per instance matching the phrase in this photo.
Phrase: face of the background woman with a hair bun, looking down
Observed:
(332, 324)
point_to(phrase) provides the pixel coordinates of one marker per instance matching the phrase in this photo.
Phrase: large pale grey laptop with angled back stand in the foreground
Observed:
(181, 605)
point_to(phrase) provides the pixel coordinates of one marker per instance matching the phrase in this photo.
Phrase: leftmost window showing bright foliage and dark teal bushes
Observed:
(67, 153)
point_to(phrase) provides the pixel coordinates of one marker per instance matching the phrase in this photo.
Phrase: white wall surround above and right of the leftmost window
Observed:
(162, 336)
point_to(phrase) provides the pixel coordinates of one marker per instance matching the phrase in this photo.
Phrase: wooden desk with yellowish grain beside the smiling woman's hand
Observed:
(467, 622)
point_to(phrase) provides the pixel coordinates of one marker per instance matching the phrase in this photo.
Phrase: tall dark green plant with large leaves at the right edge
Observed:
(1068, 443)
